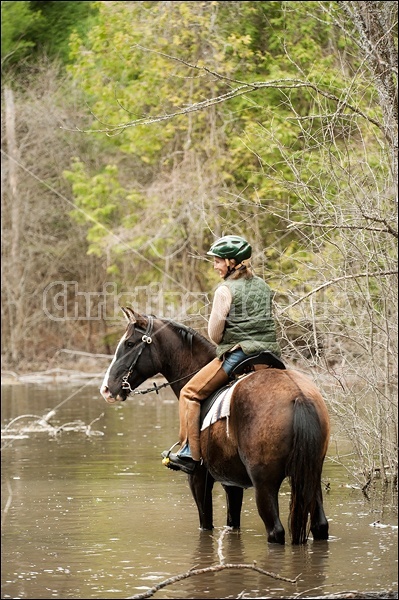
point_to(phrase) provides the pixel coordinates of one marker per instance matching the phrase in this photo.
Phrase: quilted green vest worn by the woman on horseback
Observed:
(249, 322)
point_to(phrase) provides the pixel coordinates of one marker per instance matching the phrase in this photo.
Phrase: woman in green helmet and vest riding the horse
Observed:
(240, 324)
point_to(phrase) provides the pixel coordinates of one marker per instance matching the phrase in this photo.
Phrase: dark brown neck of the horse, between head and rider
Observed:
(183, 356)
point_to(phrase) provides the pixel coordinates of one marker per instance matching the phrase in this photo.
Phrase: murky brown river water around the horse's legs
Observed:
(89, 511)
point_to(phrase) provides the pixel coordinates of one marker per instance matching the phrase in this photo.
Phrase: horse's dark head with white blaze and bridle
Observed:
(134, 359)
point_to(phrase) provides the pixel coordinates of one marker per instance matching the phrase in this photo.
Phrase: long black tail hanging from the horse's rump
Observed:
(304, 467)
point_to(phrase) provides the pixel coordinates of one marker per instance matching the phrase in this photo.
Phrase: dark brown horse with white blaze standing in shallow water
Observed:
(278, 427)
